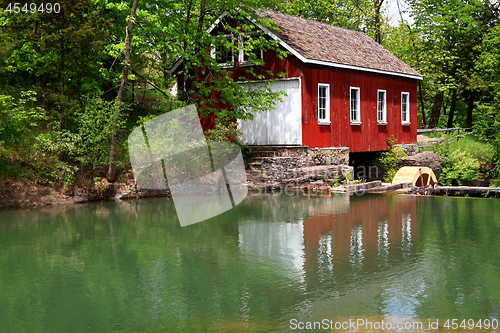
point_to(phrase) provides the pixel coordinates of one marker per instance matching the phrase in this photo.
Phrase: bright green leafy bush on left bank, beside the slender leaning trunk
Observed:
(95, 125)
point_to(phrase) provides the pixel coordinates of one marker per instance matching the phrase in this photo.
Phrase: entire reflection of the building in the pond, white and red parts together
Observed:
(333, 234)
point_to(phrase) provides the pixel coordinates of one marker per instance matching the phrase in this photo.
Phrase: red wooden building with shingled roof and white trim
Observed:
(344, 89)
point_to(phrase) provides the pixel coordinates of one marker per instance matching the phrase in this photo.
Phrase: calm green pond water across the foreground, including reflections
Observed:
(273, 264)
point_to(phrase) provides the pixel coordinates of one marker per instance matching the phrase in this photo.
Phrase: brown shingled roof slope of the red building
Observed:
(323, 42)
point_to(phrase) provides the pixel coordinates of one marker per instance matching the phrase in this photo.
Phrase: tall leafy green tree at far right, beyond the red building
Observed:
(449, 32)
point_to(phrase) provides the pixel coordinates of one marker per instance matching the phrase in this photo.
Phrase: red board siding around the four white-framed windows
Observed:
(369, 136)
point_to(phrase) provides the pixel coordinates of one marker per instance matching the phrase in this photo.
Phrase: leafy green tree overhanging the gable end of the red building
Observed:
(202, 80)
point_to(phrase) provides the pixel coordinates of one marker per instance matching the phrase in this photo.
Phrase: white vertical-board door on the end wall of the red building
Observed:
(281, 126)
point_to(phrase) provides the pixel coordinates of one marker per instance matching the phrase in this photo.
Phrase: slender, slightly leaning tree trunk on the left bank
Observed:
(121, 92)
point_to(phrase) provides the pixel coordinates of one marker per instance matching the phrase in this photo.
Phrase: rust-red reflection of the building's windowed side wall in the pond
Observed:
(370, 227)
